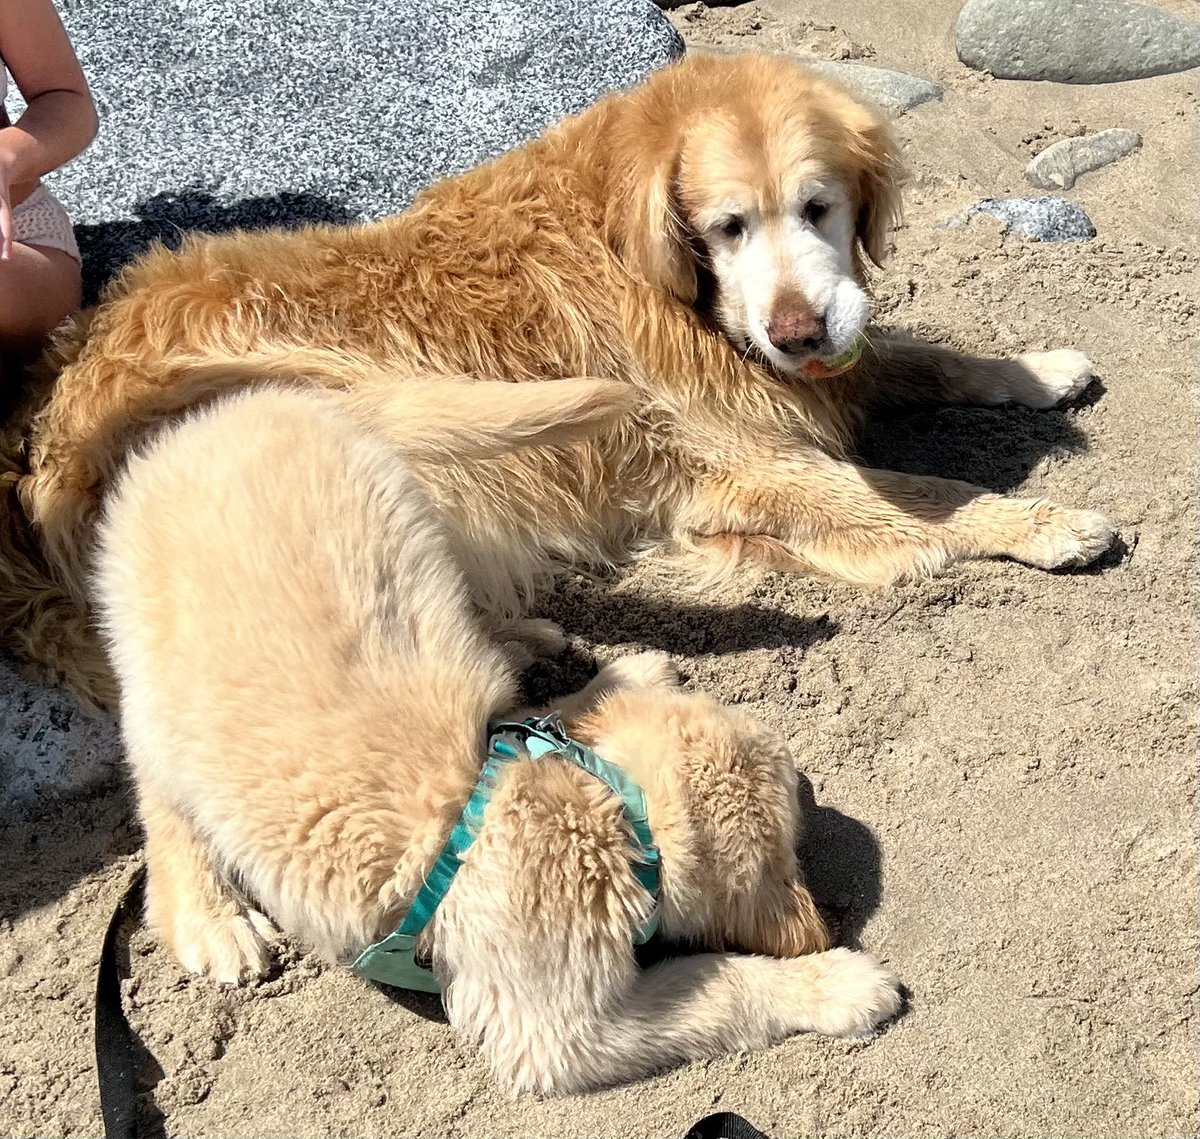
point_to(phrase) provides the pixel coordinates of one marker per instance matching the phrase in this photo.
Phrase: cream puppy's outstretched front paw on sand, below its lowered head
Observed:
(851, 993)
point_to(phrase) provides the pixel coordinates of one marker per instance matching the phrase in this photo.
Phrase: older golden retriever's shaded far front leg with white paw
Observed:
(903, 371)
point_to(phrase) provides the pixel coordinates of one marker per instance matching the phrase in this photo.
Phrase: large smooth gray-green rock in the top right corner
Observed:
(1097, 41)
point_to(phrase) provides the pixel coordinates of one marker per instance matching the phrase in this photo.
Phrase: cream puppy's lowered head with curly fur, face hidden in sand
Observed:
(723, 805)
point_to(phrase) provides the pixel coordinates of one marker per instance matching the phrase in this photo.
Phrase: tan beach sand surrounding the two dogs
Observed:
(1004, 760)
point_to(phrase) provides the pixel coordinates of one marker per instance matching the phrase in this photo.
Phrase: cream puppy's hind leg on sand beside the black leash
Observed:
(191, 908)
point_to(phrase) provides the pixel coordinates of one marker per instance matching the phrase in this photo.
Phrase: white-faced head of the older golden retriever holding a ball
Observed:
(772, 184)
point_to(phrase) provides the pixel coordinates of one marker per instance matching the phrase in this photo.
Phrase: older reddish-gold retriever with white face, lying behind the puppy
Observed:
(701, 239)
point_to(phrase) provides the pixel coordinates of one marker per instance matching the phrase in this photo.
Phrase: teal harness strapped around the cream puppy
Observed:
(393, 961)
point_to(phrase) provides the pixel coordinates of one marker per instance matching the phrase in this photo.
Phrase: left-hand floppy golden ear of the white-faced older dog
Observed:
(643, 219)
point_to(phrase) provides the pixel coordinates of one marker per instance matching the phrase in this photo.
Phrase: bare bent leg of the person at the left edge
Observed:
(39, 287)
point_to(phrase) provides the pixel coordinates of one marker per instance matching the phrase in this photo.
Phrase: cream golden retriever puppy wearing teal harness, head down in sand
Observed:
(305, 693)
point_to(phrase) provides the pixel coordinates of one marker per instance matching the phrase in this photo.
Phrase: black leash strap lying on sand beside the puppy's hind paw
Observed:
(118, 1050)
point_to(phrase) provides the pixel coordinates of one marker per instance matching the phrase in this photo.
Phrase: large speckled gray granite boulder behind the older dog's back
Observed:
(241, 113)
